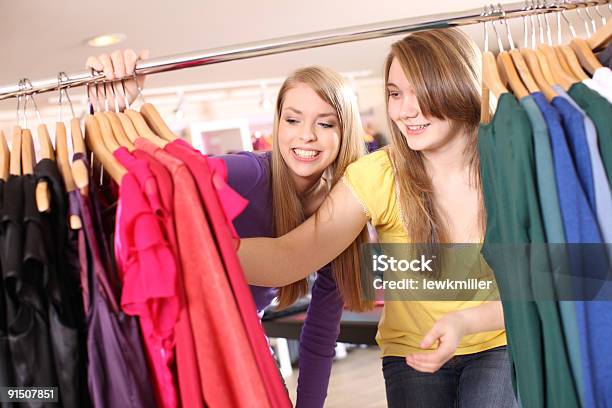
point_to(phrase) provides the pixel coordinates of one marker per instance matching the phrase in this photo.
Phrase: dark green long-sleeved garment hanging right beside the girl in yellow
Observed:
(535, 337)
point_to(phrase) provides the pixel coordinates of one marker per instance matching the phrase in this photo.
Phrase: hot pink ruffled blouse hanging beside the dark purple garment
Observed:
(147, 268)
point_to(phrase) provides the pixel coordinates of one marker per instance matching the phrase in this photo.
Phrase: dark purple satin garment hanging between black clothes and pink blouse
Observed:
(117, 373)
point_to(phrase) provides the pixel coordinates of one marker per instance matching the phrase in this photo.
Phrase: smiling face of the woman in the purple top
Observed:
(308, 134)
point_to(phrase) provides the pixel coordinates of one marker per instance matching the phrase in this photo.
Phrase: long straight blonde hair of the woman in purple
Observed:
(287, 207)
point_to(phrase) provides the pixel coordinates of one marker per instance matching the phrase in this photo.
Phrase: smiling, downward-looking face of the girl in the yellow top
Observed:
(423, 133)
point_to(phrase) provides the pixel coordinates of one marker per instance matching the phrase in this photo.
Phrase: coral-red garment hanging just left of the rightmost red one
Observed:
(229, 376)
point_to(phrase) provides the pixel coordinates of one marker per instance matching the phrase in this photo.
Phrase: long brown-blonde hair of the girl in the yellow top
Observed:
(444, 69)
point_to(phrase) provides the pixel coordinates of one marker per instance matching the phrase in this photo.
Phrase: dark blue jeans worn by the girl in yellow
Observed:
(479, 380)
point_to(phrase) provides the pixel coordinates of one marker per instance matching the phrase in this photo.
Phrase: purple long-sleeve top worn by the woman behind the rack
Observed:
(250, 175)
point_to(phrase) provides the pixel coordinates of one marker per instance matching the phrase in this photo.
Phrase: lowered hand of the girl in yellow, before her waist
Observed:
(448, 331)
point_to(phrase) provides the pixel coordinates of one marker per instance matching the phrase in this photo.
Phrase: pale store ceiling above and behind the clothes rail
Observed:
(40, 38)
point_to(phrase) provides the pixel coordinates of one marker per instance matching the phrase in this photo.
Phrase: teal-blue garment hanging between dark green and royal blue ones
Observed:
(553, 225)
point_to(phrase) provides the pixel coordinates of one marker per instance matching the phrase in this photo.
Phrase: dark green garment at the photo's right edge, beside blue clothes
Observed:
(600, 111)
